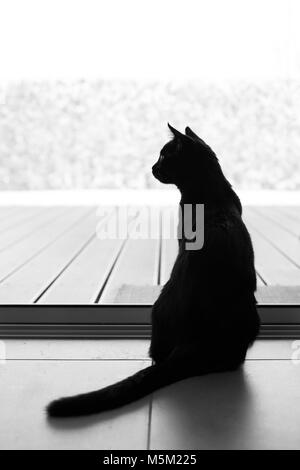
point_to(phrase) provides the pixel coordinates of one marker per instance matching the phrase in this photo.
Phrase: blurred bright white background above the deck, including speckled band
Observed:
(87, 87)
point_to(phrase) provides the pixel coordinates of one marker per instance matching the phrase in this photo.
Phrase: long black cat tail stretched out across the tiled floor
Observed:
(121, 393)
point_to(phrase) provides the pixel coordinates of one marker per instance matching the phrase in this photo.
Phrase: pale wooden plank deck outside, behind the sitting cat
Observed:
(52, 256)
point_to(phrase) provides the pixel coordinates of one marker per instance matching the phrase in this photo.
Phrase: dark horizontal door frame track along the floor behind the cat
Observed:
(119, 321)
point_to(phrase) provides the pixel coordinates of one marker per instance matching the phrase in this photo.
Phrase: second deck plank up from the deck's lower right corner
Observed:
(286, 243)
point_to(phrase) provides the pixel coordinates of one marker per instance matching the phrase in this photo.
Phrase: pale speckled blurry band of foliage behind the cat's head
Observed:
(106, 134)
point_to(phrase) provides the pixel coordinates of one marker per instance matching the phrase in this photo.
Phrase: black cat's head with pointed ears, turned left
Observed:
(186, 159)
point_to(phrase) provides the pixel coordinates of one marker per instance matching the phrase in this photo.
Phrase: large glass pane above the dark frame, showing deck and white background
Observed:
(86, 90)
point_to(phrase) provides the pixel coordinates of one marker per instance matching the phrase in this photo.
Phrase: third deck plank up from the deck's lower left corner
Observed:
(21, 231)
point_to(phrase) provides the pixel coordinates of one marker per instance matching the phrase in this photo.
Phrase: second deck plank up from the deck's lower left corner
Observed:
(14, 257)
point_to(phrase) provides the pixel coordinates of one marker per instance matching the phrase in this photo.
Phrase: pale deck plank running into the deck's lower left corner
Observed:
(31, 280)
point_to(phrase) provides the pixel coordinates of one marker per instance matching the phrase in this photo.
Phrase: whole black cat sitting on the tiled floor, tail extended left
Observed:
(205, 317)
